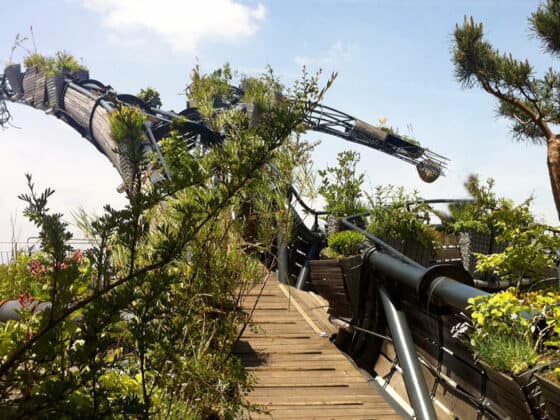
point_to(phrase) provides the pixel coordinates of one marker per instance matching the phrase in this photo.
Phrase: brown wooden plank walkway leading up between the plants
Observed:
(299, 372)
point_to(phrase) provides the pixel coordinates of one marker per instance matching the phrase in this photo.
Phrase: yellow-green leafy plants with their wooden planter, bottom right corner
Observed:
(514, 336)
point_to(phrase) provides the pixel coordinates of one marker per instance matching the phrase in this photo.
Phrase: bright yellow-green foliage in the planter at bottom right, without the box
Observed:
(508, 331)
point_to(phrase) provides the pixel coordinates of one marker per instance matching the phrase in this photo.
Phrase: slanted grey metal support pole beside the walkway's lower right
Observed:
(404, 345)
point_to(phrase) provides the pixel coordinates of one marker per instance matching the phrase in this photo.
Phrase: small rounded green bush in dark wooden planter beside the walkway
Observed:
(336, 276)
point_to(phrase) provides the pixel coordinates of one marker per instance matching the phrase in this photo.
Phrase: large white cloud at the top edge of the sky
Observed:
(182, 24)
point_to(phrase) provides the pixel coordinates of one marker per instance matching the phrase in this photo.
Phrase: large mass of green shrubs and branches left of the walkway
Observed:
(153, 337)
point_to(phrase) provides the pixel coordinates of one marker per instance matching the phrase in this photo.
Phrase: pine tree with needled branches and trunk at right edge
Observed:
(531, 103)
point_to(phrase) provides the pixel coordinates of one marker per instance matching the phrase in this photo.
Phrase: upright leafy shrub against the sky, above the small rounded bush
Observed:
(341, 186)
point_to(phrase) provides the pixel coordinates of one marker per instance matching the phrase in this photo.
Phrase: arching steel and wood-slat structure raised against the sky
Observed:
(63, 95)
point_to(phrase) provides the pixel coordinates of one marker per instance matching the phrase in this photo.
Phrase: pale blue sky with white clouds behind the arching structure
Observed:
(393, 59)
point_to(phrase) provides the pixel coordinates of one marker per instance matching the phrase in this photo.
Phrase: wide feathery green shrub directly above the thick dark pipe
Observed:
(399, 215)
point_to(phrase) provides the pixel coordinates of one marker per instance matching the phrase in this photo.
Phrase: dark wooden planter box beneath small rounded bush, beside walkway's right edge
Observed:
(338, 281)
